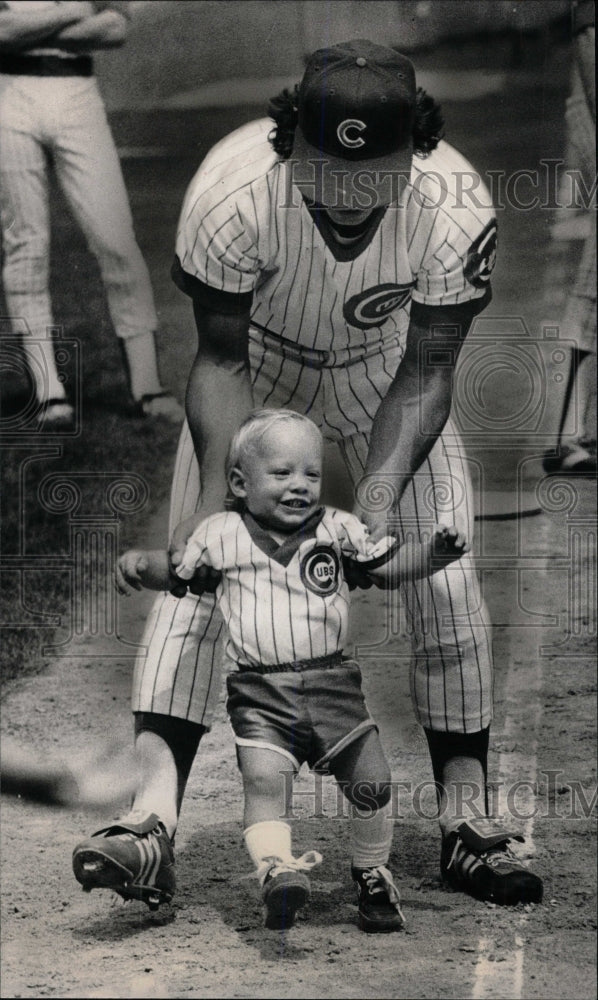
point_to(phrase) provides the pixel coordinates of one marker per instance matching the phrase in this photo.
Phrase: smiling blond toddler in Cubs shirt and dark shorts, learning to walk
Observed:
(284, 600)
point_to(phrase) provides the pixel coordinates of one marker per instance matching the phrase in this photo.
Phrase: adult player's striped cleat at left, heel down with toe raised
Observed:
(133, 857)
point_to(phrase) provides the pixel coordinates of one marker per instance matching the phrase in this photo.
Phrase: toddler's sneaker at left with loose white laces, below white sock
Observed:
(285, 889)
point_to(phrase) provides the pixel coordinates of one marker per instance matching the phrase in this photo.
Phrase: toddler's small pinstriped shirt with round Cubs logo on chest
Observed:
(280, 603)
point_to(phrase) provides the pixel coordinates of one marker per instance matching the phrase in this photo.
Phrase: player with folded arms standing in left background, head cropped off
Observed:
(51, 109)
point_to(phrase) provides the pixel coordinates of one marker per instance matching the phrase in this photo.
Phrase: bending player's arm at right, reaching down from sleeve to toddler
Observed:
(417, 405)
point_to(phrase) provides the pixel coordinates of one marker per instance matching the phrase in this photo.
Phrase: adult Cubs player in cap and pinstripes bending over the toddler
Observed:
(335, 266)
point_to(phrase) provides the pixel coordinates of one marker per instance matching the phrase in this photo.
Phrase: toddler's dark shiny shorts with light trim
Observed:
(308, 712)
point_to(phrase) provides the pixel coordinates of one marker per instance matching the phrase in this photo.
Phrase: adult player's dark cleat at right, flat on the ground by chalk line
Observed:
(476, 859)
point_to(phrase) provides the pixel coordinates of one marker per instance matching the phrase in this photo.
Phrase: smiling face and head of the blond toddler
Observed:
(281, 479)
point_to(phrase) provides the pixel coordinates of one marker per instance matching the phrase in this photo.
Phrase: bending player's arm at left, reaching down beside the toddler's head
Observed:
(217, 400)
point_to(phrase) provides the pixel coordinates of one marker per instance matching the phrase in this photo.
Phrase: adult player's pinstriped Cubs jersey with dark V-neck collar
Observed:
(246, 233)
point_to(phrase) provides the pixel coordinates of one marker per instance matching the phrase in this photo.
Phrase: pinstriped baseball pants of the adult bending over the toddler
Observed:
(451, 669)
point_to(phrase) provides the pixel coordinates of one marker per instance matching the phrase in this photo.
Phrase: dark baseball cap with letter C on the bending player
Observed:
(356, 110)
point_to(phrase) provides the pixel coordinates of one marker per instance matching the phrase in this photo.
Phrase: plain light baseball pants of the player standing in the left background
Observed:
(64, 118)
